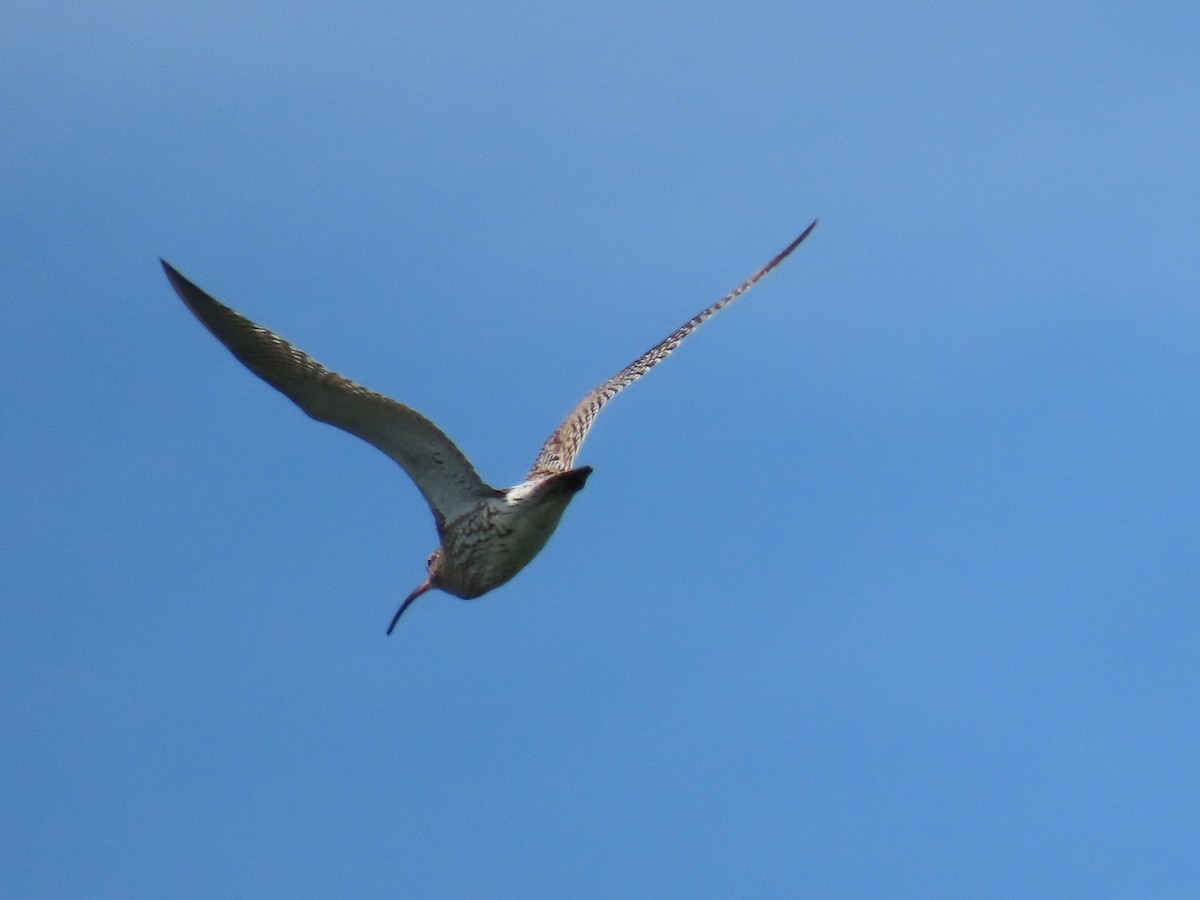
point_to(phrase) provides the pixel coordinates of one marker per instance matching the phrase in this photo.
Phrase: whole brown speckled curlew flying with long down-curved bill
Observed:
(487, 535)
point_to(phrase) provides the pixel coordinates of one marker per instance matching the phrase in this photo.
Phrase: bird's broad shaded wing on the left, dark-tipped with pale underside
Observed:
(443, 475)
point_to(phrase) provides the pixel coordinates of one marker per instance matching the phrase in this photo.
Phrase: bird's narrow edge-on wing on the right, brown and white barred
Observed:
(560, 451)
